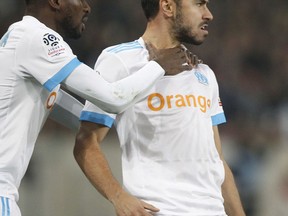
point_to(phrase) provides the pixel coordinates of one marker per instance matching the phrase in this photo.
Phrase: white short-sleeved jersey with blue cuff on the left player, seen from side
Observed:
(34, 60)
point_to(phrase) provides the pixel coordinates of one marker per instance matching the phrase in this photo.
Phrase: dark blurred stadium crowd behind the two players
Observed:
(248, 50)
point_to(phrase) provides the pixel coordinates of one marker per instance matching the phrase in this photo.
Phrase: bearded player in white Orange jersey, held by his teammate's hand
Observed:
(172, 162)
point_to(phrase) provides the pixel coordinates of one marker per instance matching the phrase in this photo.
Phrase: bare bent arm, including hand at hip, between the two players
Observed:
(89, 156)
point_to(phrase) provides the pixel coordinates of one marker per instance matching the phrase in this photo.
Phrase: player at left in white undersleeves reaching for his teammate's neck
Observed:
(35, 60)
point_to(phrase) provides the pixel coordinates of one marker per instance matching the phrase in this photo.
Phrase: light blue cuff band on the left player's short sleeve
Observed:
(62, 74)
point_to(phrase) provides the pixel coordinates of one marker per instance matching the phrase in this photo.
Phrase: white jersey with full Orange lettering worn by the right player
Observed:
(169, 156)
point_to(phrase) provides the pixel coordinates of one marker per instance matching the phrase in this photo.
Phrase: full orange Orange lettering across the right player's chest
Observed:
(157, 102)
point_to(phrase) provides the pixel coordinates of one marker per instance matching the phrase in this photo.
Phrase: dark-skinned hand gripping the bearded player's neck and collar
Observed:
(173, 60)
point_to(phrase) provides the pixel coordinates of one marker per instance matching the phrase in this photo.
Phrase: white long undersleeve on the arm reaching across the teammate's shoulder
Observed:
(112, 97)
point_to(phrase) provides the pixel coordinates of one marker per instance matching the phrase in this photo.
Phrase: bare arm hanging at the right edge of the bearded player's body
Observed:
(232, 202)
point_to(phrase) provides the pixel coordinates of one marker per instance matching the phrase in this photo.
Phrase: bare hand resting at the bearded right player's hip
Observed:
(128, 205)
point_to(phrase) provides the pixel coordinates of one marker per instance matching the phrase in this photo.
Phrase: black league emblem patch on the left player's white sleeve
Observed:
(54, 47)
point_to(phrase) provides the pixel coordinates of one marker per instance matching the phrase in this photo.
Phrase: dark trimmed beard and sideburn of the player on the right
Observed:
(182, 32)
